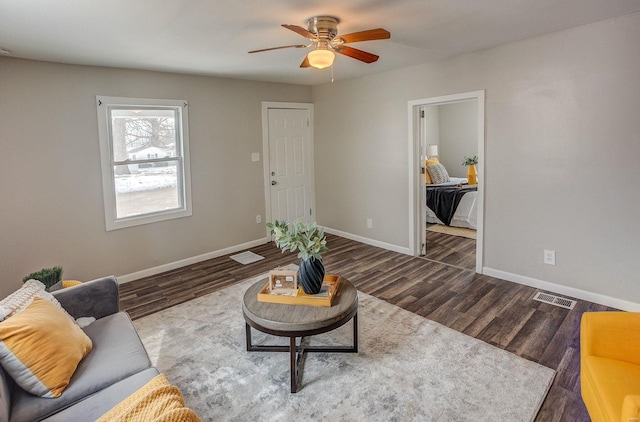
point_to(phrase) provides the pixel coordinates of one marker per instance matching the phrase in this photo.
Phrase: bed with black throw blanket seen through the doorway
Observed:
(452, 204)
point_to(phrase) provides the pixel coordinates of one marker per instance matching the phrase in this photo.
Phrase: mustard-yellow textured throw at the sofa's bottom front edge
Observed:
(156, 401)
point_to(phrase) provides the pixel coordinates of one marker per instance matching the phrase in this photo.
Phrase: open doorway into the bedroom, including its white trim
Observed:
(447, 213)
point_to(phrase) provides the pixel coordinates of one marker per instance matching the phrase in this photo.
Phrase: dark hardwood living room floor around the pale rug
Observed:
(498, 312)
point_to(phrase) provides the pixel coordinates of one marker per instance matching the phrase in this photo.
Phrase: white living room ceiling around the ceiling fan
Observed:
(212, 37)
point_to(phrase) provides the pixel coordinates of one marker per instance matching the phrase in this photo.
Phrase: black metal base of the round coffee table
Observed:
(297, 353)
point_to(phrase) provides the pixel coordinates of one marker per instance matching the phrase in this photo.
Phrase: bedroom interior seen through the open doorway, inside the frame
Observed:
(449, 132)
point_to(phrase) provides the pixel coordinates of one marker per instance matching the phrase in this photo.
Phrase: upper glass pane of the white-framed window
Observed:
(140, 134)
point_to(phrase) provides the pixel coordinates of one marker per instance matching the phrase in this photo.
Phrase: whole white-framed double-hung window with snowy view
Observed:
(144, 149)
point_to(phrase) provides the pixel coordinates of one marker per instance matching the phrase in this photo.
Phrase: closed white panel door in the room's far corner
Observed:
(289, 162)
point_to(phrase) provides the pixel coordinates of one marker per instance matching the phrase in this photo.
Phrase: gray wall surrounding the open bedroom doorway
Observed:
(562, 147)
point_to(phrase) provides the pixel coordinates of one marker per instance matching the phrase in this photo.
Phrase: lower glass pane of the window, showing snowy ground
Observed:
(146, 188)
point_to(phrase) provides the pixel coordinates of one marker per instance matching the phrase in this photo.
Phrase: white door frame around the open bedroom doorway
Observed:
(415, 166)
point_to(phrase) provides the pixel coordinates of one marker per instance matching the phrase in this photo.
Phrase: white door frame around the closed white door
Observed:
(266, 105)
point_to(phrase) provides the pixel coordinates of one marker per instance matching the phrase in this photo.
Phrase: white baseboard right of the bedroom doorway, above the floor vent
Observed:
(564, 290)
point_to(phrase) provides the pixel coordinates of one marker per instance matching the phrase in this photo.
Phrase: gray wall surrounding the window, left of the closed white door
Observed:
(50, 181)
